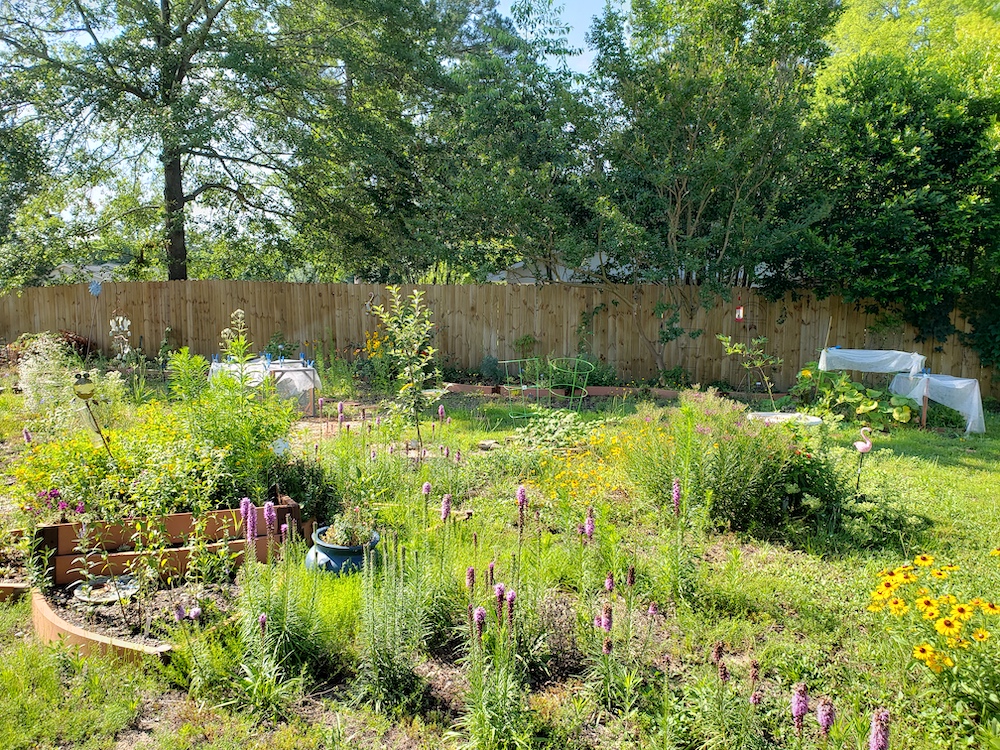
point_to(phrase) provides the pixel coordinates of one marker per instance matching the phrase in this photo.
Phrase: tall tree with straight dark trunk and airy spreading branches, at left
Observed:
(216, 96)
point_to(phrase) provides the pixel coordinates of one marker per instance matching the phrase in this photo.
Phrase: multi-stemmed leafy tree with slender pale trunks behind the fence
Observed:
(704, 100)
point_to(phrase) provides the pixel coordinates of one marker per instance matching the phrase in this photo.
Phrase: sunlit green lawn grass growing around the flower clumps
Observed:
(795, 602)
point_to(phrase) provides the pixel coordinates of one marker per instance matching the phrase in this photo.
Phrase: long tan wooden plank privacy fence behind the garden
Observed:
(477, 321)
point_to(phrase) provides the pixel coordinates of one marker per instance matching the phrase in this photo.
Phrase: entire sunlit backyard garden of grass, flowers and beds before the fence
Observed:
(384, 563)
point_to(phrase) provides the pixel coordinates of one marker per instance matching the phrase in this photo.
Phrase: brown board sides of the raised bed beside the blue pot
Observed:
(222, 530)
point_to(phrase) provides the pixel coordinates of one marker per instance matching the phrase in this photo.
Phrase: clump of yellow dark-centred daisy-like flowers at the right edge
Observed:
(949, 632)
